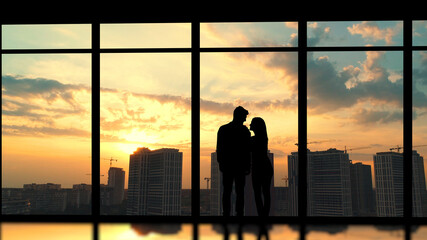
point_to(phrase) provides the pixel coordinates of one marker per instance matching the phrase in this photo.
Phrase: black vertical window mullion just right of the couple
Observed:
(302, 125)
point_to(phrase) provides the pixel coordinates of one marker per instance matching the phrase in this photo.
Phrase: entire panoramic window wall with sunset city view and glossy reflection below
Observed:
(343, 83)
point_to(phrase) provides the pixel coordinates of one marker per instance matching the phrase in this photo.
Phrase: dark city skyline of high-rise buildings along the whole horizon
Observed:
(336, 187)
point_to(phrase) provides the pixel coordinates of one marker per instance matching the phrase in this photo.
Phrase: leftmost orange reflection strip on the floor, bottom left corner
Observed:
(46, 231)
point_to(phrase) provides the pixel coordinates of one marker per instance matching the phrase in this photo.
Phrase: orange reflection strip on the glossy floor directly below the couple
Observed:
(273, 232)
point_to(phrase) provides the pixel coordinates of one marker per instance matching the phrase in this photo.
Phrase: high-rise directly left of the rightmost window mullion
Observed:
(388, 168)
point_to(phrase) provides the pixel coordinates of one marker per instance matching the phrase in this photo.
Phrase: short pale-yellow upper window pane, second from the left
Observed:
(156, 35)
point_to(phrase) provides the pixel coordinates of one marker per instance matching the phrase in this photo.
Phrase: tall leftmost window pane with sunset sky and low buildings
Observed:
(46, 134)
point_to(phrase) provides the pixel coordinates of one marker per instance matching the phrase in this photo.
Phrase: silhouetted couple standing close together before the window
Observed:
(238, 155)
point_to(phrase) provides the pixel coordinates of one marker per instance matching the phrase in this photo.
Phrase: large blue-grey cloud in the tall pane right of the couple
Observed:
(329, 89)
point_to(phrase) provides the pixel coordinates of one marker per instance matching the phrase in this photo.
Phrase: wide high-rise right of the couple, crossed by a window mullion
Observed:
(328, 183)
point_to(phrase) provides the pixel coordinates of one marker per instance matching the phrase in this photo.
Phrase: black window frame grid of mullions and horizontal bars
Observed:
(302, 220)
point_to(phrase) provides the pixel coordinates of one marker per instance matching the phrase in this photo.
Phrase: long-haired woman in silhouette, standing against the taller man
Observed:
(262, 170)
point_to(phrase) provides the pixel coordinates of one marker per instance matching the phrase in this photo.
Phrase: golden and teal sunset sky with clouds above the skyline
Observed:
(354, 98)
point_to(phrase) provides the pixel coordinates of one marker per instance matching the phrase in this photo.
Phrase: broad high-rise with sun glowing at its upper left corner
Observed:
(155, 180)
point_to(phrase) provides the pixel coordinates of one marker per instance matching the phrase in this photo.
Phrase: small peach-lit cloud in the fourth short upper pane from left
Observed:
(370, 30)
